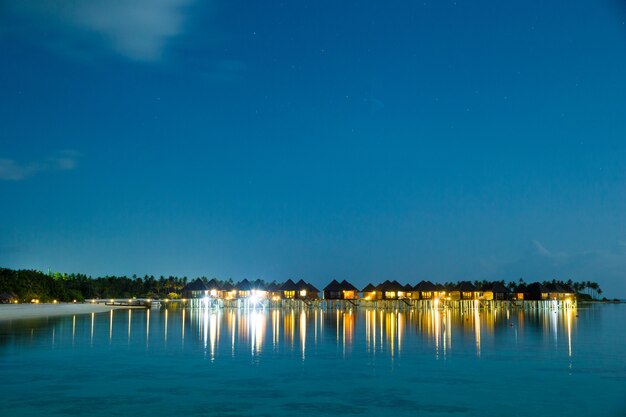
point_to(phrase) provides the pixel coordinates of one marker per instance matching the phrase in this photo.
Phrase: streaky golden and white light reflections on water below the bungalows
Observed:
(377, 331)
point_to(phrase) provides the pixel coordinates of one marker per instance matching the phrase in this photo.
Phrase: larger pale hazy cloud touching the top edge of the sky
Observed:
(138, 29)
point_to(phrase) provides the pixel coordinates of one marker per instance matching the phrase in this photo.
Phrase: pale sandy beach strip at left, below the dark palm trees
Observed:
(10, 312)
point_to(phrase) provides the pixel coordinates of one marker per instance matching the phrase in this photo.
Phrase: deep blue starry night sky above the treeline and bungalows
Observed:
(406, 140)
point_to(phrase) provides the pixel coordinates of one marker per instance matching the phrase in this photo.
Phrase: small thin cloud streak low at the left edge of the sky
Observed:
(12, 170)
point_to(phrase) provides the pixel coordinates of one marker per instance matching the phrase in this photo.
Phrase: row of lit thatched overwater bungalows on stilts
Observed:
(387, 294)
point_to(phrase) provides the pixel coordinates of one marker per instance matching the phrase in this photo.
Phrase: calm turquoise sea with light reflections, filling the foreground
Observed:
(293, 363)
